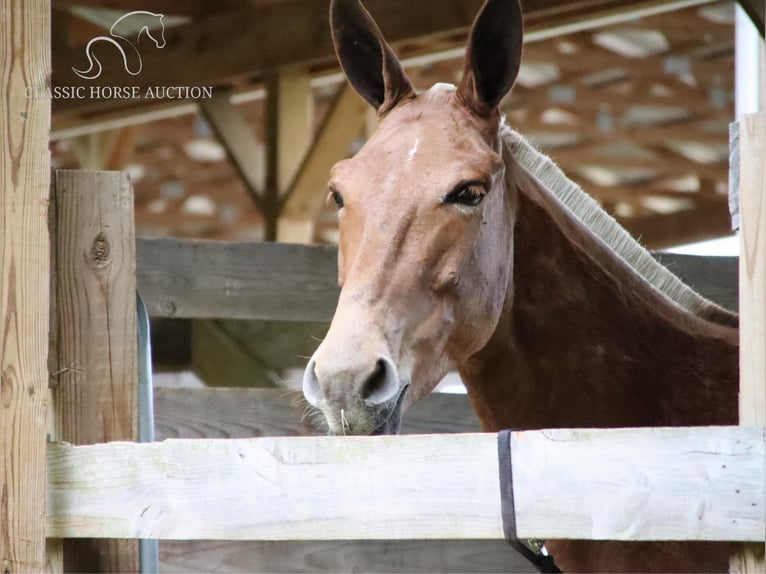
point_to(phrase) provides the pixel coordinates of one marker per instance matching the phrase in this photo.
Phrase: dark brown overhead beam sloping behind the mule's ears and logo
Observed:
(273, 35)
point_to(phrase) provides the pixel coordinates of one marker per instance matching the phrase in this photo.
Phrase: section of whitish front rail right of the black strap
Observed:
(692, 483)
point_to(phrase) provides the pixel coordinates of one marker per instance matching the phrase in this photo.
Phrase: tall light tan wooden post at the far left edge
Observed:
(24, 270)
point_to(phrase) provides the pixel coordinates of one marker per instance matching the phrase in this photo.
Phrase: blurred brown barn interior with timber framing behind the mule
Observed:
(632, 98)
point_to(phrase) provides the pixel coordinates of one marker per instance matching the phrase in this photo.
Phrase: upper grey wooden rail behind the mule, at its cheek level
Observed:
(196, 279)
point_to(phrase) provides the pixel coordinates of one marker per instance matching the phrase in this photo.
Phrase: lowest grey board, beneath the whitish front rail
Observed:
(390, 556)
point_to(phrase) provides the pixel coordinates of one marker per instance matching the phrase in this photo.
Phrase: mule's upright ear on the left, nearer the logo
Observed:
(366, 58)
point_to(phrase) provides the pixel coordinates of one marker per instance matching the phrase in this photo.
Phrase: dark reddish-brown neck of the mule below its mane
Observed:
(585, 341)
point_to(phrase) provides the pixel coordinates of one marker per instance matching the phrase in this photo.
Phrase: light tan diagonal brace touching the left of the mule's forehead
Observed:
(343, 124)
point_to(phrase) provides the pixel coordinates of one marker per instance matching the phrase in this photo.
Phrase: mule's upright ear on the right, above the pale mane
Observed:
(493, 56)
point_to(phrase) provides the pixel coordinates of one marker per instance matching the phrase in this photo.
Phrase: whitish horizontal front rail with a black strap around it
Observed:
(699, 483)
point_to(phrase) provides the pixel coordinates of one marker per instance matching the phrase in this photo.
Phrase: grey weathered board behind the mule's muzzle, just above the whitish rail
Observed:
(246, 413)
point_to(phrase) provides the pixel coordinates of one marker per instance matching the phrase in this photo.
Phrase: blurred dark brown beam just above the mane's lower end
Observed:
(707, 221)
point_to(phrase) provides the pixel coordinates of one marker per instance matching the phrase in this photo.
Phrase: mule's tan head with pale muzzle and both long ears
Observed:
(425, 249)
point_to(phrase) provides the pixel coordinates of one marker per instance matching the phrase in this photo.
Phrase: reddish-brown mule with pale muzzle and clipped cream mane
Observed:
(462, 247)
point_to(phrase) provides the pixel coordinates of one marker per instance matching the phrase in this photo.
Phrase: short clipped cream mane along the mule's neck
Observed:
(585, 208)
